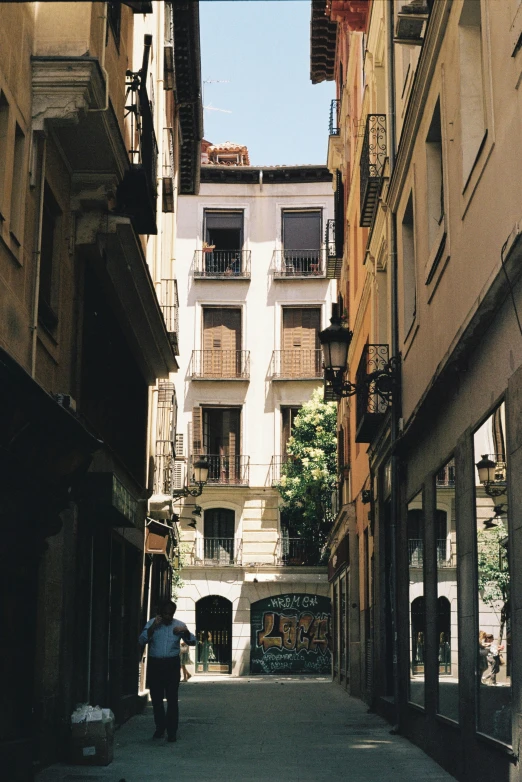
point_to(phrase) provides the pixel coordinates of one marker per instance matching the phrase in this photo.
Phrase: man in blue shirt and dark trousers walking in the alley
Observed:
(163, 635)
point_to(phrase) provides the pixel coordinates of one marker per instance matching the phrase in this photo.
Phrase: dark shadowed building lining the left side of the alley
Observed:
(86, 90)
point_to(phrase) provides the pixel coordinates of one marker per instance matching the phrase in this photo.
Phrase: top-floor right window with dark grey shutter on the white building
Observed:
(302, 241)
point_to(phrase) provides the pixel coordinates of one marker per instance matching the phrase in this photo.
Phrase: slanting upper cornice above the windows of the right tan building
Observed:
(423, 79)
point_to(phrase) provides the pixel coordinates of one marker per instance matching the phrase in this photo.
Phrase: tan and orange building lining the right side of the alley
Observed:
(424, 547)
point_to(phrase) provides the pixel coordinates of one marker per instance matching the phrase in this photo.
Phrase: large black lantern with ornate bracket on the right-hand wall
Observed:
(335, 341)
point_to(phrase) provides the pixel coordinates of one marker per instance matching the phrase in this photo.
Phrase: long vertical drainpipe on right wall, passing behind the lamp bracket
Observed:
(395, 411)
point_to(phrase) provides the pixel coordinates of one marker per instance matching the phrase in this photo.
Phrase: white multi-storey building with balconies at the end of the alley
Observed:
(255, 287)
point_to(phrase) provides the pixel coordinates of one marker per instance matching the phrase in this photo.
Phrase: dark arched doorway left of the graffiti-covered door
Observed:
(214, 634)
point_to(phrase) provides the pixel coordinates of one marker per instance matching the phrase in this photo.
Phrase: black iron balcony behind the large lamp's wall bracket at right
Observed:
(370, 407)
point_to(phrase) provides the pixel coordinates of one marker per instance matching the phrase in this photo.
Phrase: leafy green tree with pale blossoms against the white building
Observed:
(309, 475)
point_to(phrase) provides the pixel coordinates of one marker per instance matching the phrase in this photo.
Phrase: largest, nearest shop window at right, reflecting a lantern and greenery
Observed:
(493, 580)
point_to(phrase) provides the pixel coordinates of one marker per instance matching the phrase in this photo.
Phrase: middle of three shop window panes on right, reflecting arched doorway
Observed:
(447, 596)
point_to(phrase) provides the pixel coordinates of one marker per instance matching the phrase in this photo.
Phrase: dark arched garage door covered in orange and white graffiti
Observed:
(290, 634)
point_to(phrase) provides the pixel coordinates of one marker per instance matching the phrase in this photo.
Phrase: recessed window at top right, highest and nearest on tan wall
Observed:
(472, 108)
